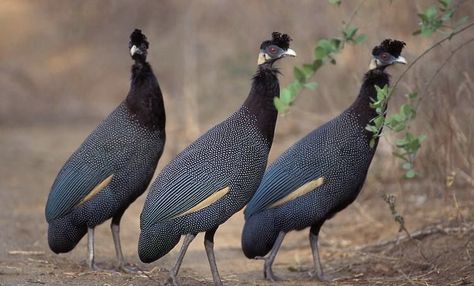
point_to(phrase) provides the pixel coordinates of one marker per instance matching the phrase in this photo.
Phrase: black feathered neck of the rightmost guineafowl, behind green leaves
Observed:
(361, 106)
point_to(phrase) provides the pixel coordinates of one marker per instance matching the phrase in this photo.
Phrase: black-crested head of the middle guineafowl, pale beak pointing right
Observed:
(276, 48)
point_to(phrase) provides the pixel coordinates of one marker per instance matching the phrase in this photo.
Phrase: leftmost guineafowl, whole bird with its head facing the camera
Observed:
(113, 166)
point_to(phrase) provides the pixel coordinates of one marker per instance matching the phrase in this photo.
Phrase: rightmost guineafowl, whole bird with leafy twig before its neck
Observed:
(319, 175)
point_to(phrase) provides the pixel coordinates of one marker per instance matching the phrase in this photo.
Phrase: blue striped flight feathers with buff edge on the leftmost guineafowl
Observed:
(74, 186)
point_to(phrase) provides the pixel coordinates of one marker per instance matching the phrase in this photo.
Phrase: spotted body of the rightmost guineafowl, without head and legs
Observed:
(338, 152)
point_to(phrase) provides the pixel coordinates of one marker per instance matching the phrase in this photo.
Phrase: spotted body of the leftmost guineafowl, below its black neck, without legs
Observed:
(119, 147)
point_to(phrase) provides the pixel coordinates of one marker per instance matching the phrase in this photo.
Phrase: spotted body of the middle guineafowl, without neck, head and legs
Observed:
(232, 154)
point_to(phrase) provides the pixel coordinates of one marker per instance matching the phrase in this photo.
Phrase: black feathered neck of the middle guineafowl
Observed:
(265, 87)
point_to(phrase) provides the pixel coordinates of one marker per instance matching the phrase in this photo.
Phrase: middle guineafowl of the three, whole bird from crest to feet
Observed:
(215, 176)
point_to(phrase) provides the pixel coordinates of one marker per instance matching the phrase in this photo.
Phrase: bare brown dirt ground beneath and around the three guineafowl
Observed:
(352, 245)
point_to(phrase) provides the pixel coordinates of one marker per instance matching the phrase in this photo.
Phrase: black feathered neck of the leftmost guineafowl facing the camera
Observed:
(145, 100)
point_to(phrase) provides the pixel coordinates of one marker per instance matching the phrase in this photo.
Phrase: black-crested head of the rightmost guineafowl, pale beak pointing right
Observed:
(386, 54)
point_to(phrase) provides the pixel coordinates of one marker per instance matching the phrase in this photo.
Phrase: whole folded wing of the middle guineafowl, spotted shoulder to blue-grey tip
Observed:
(202, 173)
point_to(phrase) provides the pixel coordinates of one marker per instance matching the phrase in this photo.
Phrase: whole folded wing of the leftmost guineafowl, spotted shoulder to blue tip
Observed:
(90, 169)
